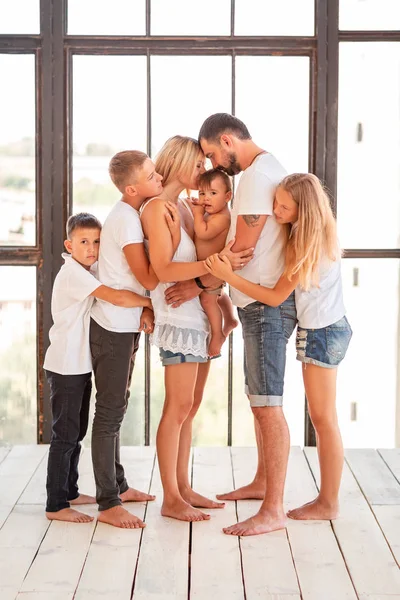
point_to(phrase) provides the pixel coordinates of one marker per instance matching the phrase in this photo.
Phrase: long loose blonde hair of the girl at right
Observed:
(313, 236)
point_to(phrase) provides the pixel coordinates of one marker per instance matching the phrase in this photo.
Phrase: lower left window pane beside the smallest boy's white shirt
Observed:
(18, 407)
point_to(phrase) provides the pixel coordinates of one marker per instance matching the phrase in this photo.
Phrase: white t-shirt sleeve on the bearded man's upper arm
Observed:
(257, 195)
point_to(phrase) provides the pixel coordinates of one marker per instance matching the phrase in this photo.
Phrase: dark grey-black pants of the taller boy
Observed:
(113, 357)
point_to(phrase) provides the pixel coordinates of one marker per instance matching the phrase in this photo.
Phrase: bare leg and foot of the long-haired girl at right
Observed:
(320, 386)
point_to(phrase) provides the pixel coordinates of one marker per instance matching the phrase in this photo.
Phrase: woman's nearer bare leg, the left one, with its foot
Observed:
(179, 390)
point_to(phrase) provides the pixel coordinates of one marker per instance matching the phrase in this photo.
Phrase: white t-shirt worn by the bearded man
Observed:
(255, 196)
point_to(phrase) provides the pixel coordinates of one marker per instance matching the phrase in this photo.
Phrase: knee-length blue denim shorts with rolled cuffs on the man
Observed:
(266, 331)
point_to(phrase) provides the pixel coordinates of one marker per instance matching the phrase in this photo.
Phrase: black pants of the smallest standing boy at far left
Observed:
(70, 401)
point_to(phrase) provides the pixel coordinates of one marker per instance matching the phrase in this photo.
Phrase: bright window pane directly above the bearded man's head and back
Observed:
(276, 117)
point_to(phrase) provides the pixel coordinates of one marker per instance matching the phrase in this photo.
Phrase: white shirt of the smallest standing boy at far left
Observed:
(69, 351)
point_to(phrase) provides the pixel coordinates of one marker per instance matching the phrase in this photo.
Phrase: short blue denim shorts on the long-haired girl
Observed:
(325, 347)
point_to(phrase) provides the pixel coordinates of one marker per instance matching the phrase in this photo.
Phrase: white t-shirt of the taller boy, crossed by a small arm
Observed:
(121, 228)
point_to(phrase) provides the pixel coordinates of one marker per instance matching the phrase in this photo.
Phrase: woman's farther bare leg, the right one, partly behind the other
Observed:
(185, 443)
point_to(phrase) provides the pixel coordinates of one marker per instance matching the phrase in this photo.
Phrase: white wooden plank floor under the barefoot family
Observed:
(357, 556)
